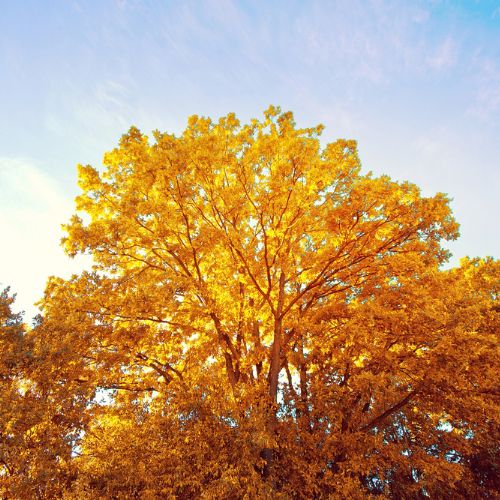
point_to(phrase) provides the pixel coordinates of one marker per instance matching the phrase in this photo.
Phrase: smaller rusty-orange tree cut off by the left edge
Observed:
(36, 440)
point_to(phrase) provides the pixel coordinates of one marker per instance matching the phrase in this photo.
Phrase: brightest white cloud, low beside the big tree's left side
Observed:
(31, 212)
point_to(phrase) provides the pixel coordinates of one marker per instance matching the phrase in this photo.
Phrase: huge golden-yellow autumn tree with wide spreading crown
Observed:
(262, 319)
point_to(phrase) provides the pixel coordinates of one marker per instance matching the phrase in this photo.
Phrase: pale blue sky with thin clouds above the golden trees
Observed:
(416, 83)
